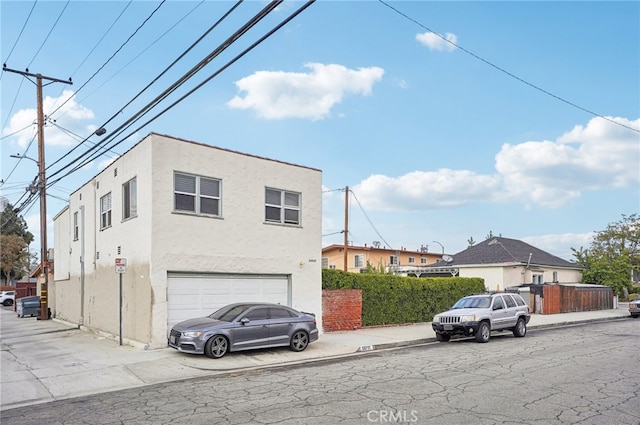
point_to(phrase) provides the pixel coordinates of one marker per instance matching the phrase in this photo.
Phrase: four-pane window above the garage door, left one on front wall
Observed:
(200, 195)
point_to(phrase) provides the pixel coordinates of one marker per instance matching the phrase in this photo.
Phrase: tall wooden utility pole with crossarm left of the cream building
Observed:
(42, 188)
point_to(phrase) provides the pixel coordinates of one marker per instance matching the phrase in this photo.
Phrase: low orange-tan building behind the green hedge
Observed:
(359, 258)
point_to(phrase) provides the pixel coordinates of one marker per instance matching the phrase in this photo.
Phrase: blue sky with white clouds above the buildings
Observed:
(447, 120)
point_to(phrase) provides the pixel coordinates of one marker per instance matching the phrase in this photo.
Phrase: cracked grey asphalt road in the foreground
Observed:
(585, 374)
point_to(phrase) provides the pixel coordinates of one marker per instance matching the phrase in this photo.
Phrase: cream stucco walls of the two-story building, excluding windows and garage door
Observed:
(159, 240)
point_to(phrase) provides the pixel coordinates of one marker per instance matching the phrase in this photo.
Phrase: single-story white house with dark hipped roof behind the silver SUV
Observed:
(504, 263)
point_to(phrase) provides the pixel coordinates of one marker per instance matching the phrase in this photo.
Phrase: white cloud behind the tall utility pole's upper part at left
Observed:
(68, 117)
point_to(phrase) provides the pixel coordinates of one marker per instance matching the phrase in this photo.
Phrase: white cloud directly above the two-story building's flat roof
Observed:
(279, 94)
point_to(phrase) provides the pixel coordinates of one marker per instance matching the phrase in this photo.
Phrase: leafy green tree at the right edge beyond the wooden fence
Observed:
(614, 255)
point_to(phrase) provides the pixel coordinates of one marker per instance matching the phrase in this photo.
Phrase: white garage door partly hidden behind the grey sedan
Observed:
(198, 295)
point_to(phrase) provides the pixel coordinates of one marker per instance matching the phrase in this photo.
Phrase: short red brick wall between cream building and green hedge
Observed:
(341, 309)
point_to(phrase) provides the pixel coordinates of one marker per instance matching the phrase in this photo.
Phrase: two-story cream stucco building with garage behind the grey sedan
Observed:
(192, 227)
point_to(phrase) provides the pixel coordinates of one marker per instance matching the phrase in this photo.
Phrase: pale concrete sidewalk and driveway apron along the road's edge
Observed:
(43, 361)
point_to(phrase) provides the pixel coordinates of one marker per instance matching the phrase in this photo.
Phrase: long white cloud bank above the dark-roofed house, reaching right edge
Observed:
(545, 173)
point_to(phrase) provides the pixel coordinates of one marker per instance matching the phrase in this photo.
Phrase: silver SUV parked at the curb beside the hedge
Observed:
(478, 315)
